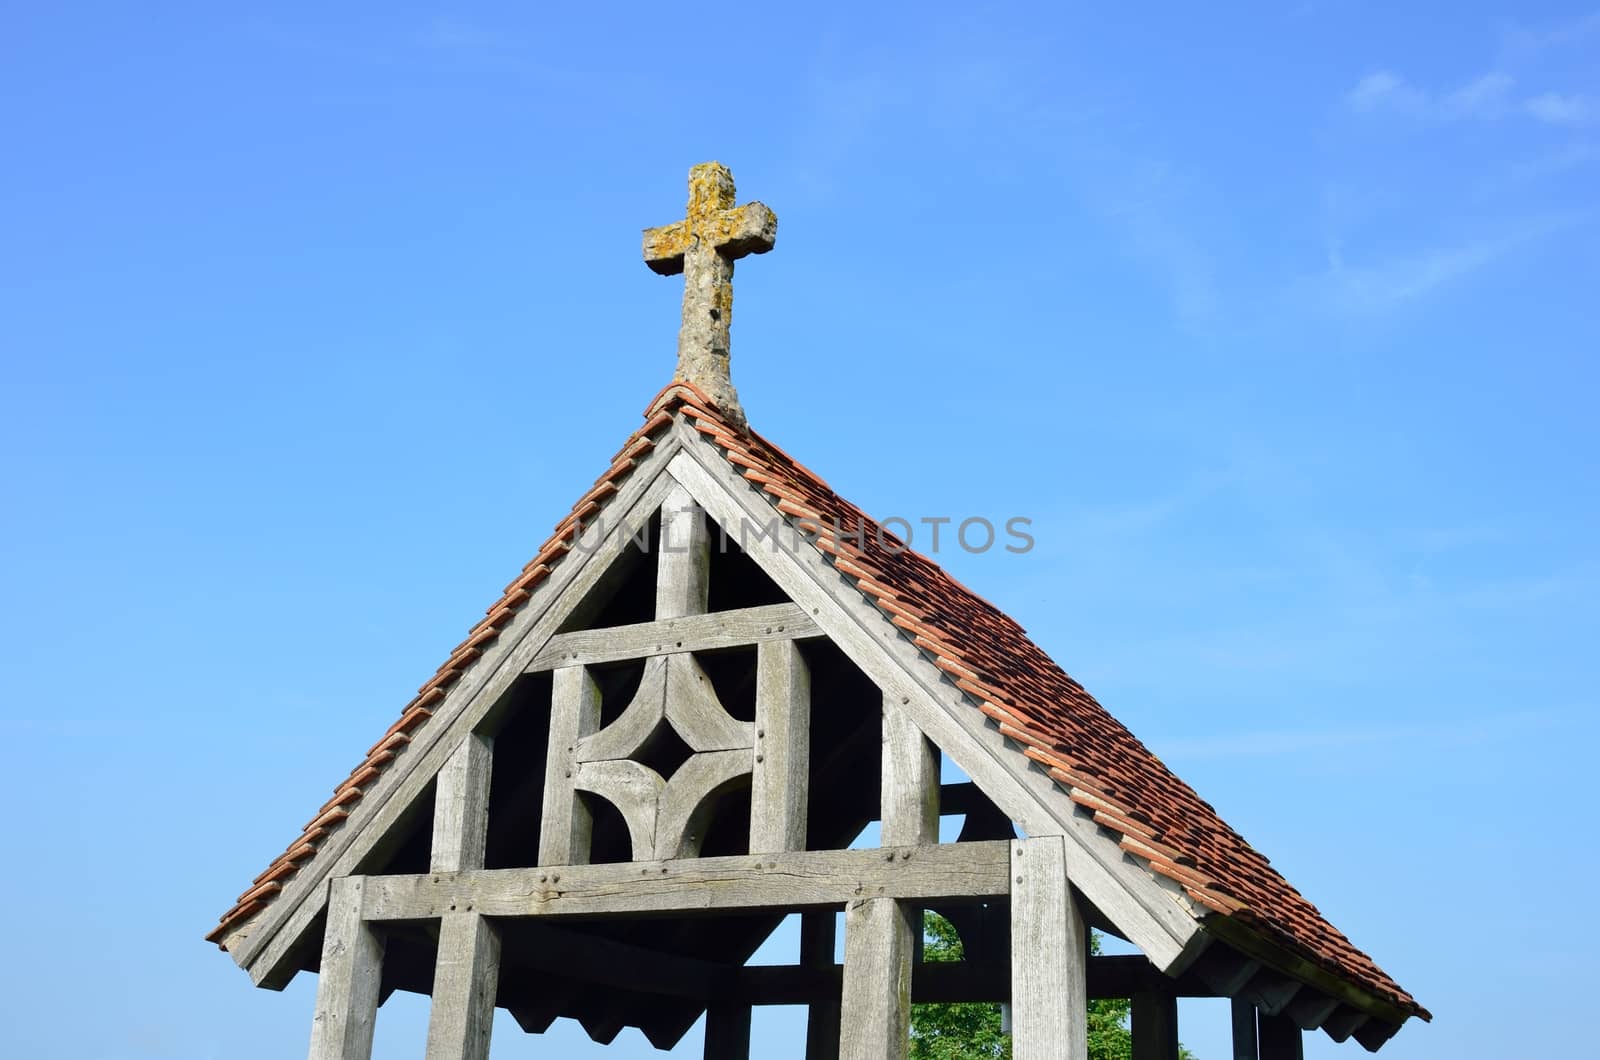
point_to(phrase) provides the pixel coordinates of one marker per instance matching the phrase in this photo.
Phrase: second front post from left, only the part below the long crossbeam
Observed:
(465, 984)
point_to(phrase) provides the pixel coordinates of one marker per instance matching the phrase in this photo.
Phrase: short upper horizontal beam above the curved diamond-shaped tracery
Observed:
(690, 633)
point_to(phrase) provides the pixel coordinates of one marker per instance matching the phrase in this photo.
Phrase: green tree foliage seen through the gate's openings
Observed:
(972, 1030)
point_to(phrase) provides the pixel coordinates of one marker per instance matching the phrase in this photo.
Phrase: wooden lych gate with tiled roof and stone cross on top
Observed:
(668, 734)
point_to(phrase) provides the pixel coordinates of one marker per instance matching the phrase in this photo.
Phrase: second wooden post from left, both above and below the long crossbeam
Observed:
(466, 974)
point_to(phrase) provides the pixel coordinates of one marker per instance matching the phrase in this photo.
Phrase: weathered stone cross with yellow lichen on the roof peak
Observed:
(703, 247)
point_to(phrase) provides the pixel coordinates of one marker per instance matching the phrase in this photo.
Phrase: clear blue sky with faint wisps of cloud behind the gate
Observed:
(1279, 323)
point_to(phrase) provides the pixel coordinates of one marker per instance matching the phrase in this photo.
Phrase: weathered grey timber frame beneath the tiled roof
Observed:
(486, 930)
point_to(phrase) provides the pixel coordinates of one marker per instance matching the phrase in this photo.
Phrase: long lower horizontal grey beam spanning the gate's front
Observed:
(770, 881)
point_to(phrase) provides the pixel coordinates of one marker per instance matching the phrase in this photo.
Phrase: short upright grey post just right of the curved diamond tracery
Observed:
(783, 749)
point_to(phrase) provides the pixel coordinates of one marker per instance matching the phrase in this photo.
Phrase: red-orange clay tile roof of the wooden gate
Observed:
(1090, 757)
